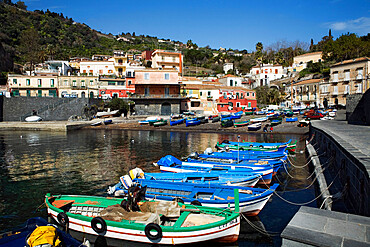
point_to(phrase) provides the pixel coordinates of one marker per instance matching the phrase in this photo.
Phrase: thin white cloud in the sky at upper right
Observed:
(360, 25)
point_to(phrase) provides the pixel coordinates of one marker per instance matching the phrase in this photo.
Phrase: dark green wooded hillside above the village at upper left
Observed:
(60, 37)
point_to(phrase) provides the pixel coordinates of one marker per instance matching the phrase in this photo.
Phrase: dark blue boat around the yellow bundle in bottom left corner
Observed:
(17, 237)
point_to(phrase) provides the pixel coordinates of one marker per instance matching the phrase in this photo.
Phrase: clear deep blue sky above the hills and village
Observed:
(235, 24)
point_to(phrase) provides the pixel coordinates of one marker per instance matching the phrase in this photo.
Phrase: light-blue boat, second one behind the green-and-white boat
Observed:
(206, 178)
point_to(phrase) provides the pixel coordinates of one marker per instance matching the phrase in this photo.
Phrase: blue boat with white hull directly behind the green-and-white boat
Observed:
(251, 200)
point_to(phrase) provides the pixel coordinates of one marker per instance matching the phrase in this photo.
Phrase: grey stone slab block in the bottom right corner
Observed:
(315, 227)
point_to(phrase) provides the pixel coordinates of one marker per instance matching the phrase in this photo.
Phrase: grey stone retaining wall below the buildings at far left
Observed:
(49, 109)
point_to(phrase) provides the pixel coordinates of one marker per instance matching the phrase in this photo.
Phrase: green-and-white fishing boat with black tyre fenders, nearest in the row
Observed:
(167, 223)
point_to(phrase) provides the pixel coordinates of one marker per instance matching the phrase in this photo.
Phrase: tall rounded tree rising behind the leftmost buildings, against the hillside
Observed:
(30, 46)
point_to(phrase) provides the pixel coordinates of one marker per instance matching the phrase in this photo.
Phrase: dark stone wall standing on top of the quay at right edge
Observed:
(358, 108)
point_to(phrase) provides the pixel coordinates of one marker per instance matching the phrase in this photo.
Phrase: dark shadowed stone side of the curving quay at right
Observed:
(353, 174)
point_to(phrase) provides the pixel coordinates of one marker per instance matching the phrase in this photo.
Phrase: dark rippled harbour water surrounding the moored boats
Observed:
(88, 161)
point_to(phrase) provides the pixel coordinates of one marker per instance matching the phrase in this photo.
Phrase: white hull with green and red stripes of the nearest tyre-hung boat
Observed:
(224, 231)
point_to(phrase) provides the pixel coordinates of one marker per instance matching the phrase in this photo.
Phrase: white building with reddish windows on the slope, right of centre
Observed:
(265, 73)
